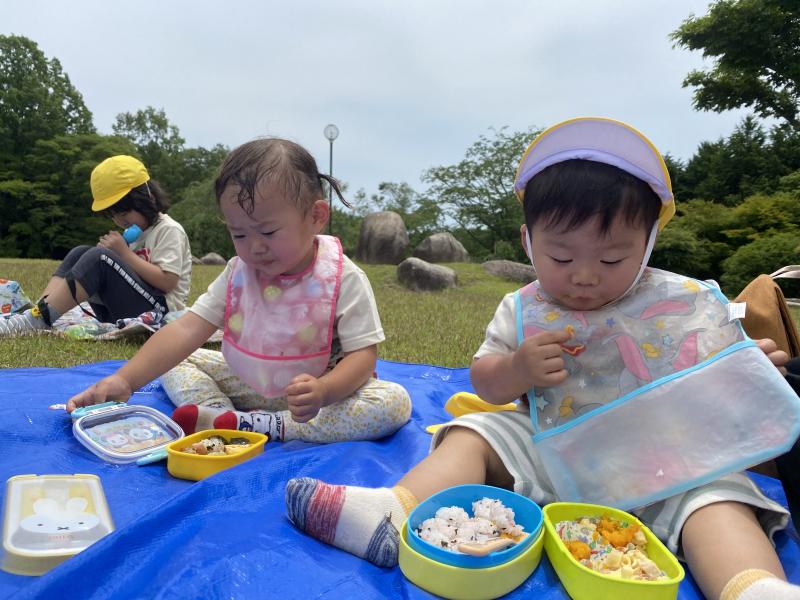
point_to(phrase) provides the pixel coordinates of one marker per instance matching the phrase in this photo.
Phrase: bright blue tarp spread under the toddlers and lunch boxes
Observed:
(227, 536)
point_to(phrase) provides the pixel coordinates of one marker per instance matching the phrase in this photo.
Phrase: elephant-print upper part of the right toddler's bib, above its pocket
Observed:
(667, 324)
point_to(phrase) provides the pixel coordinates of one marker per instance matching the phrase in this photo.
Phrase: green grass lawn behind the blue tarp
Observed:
(441, 328)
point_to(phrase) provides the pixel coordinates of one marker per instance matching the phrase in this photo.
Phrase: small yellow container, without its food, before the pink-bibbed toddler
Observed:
(199, 466)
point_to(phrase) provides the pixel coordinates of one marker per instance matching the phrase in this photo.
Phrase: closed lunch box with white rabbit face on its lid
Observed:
(49, 518)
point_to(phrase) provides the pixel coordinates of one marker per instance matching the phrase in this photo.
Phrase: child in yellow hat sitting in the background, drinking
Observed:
(118, 279)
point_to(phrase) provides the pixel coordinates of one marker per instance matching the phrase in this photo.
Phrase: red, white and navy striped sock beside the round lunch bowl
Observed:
(363, 521)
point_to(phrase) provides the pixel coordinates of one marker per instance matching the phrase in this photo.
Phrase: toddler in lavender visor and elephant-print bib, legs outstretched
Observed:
(605, 356)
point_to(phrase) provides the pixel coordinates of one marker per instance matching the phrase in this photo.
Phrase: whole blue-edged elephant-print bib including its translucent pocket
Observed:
(665, 393)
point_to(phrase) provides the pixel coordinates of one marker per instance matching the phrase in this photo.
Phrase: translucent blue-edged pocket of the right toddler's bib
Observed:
(675, 434)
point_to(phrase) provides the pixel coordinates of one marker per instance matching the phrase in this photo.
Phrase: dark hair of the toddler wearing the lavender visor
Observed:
(570, 193)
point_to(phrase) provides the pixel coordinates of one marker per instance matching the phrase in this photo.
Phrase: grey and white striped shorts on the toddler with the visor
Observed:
(510, 434)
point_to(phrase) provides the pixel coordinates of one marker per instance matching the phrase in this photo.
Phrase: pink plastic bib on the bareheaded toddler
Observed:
(279, 327)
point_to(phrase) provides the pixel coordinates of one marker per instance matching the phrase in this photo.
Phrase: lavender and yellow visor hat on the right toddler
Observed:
(601, 140)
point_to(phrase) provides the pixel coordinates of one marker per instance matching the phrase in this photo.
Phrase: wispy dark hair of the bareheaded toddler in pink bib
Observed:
(279, 162)
